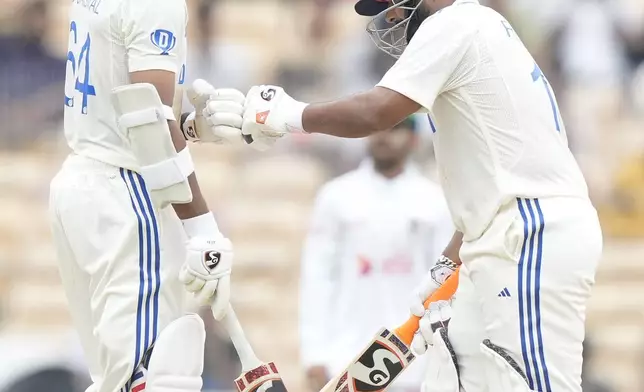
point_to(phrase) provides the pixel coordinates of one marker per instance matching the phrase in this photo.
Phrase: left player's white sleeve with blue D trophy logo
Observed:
(155, 35)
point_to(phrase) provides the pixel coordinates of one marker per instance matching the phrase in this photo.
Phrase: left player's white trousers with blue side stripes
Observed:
(119, 261)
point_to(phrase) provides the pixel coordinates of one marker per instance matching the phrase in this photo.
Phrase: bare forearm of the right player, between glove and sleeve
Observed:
(352, 117)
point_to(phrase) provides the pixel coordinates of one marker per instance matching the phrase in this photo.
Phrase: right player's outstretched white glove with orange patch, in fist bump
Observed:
(270, 114)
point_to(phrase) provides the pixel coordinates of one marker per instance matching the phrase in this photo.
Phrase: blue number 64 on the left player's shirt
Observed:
(79, 70)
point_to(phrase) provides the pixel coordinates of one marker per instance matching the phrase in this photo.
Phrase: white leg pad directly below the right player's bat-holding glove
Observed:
(442, 370)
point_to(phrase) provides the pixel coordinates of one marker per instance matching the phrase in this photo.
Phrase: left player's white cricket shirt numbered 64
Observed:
(108, 39)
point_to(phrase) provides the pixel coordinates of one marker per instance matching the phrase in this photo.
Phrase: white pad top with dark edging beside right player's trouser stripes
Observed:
(502, 372)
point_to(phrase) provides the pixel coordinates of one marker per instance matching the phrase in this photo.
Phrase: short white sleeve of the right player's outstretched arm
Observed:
(429, 65)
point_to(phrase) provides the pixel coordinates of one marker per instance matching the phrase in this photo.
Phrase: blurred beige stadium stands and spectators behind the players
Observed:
(591, 50)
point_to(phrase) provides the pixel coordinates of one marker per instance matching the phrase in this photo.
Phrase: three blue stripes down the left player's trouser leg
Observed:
(149, 252)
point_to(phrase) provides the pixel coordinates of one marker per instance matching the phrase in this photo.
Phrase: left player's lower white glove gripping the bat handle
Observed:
(206, 272)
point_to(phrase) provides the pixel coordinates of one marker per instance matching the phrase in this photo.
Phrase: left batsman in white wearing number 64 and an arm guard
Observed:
(126, 201)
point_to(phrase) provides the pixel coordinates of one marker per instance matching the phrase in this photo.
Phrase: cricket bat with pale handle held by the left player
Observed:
(256, 375)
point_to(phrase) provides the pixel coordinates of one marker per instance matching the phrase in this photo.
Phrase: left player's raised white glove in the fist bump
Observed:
(217, 117)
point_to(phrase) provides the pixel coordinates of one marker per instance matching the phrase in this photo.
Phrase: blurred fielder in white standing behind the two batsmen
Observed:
(373, 232)
